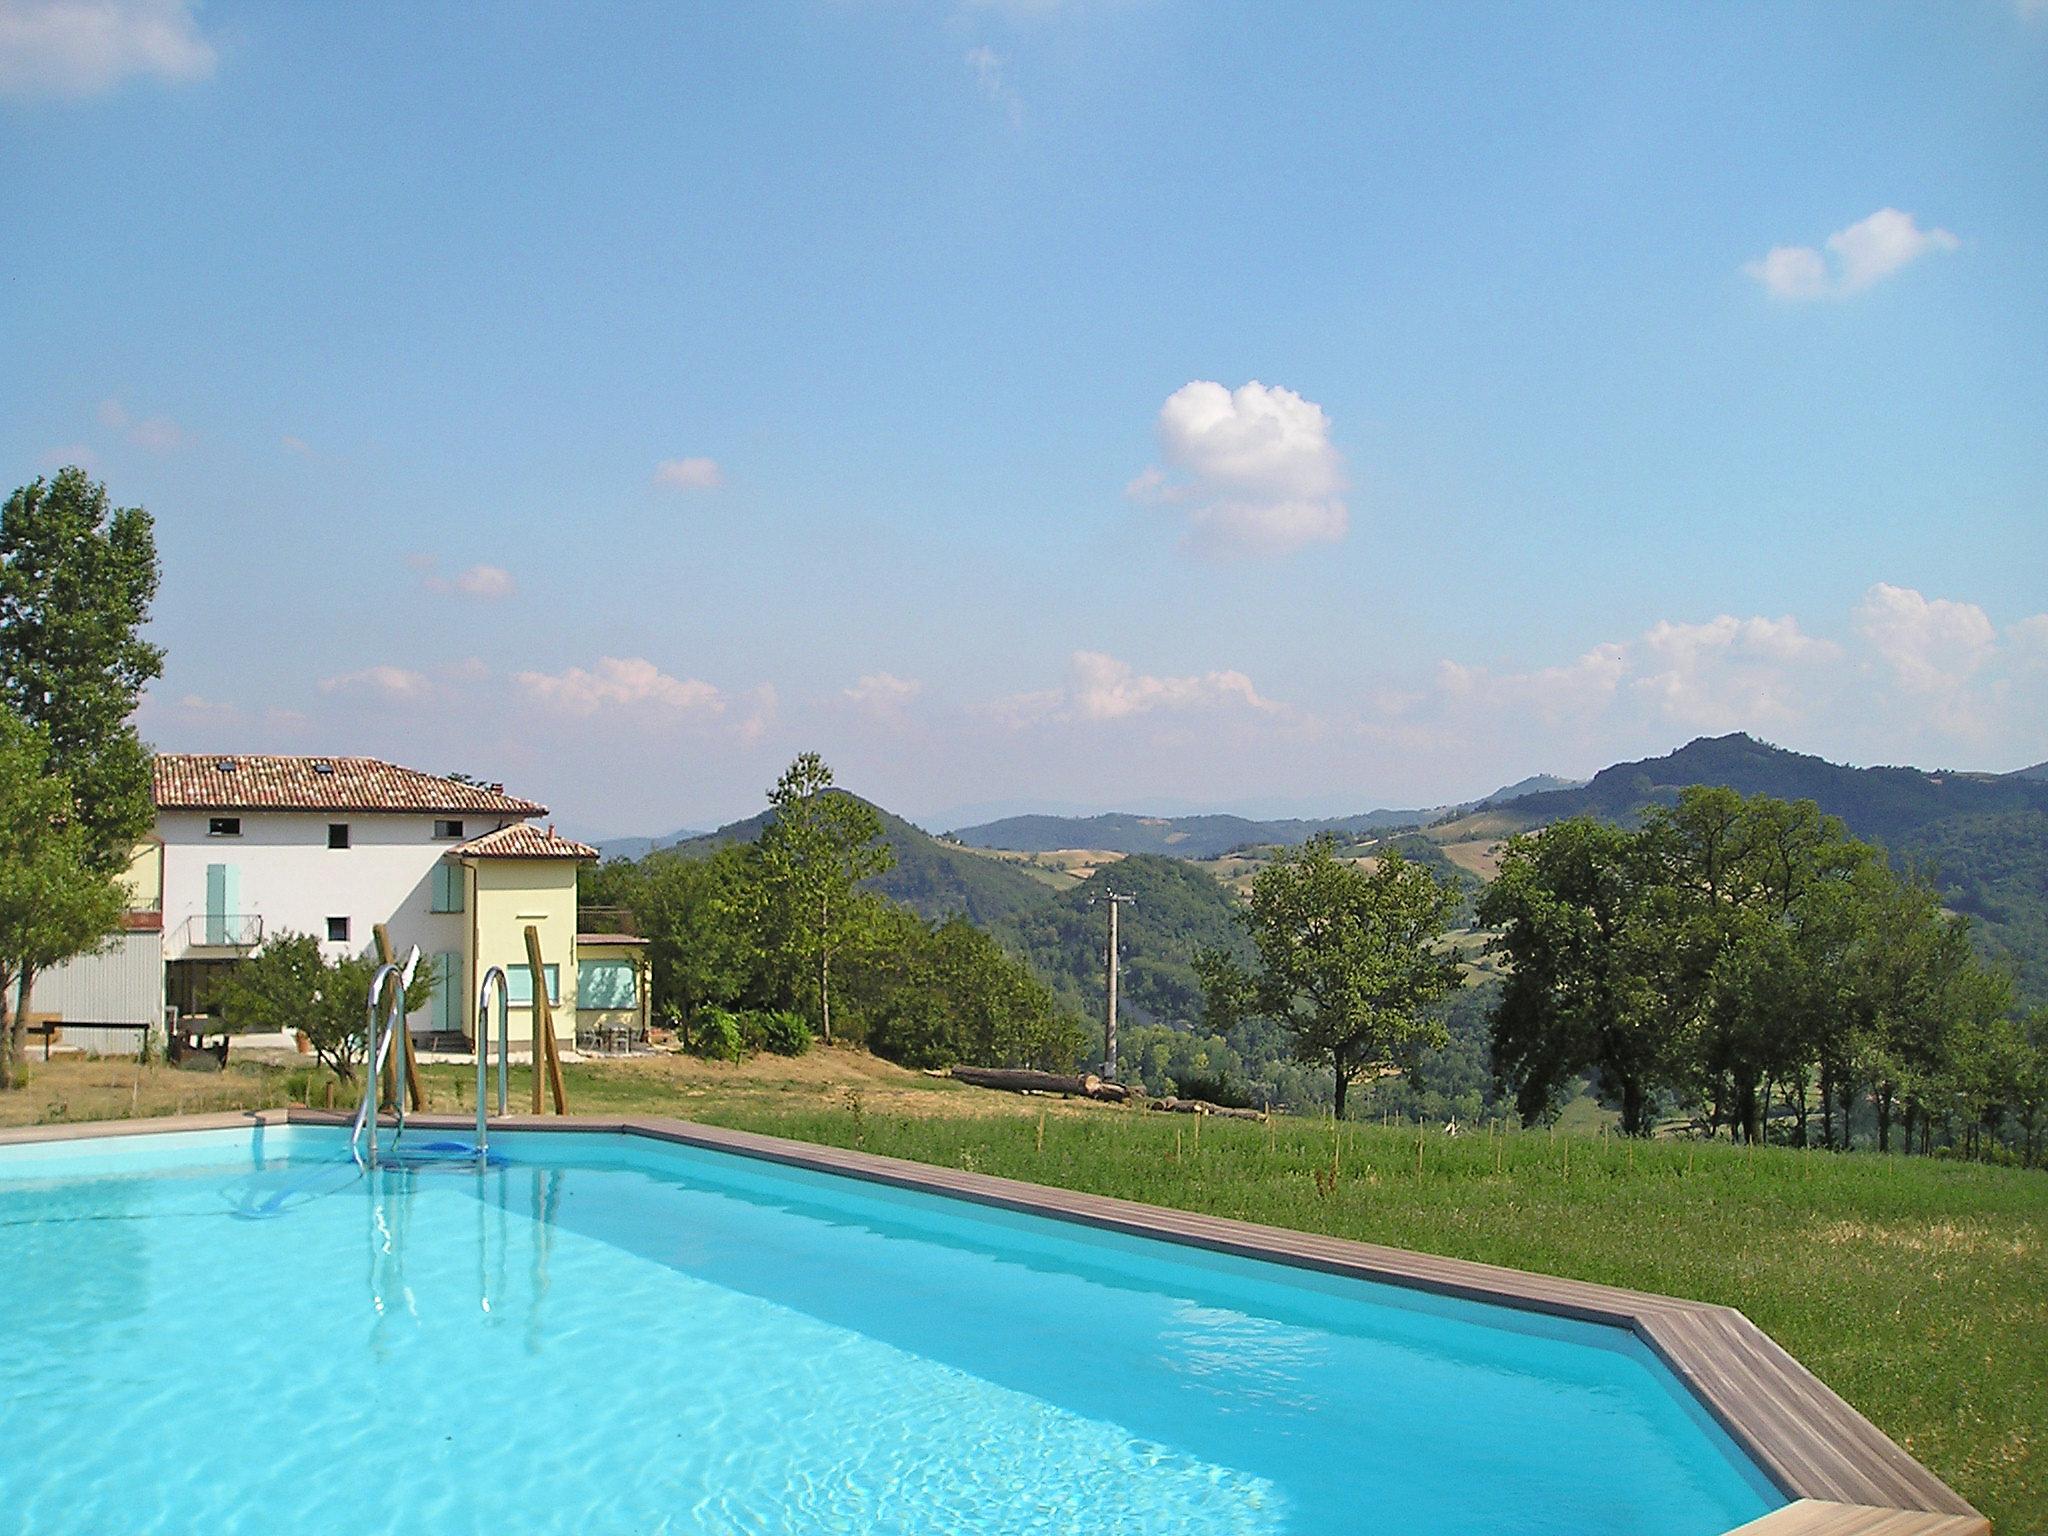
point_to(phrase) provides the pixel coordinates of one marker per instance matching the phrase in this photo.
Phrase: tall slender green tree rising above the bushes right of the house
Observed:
(816, 851)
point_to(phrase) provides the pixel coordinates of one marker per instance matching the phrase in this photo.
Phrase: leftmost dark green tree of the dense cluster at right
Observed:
(1584, 966)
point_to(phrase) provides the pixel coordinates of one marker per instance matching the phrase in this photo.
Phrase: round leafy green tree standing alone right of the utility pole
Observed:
(1351, 962)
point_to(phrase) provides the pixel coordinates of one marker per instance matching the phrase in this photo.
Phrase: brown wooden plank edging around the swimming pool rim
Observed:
(1840, 1471)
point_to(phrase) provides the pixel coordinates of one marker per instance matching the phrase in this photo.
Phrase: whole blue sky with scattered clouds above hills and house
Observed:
(1095, 402)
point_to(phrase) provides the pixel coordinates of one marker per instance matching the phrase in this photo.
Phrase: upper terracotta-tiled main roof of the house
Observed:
(194, 781)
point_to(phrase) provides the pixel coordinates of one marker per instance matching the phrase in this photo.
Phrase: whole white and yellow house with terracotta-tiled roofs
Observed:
(255, 847)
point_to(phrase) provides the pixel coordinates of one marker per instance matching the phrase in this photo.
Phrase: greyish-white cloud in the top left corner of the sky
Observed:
(83, 48)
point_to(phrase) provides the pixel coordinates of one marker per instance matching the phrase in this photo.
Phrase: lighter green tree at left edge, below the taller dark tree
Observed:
(54, 904)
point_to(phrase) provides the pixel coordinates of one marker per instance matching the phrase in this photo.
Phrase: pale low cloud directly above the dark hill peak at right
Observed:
(1730, 673)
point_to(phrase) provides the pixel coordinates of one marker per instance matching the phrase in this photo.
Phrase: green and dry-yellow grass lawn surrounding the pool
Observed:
(1918, 1289)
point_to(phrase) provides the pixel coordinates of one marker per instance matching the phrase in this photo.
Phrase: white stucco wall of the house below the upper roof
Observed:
(294, 882)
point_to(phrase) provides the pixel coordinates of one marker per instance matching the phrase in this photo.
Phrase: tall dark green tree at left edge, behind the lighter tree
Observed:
(77, 583)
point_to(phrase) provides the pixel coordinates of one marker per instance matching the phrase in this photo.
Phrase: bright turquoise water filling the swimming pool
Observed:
(241, 1332)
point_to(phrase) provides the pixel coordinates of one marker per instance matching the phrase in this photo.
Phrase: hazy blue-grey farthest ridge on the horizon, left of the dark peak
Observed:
(1205, 837)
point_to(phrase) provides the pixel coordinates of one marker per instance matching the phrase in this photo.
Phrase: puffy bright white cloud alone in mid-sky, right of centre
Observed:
(1252, 470)
